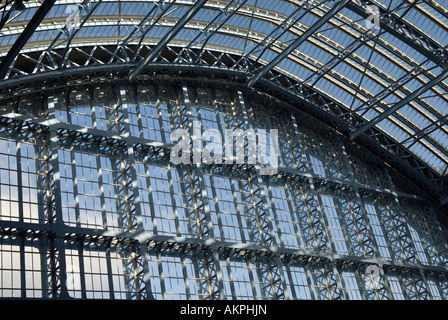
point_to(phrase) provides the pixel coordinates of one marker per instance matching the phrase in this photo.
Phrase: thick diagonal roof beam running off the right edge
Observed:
(399, 105)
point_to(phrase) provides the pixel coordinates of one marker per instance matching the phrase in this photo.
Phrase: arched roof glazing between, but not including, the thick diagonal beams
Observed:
(367, 70)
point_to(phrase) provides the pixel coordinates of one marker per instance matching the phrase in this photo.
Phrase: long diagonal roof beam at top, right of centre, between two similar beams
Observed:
(339, 5)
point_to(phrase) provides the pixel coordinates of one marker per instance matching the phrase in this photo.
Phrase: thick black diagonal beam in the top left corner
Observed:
(24, 37)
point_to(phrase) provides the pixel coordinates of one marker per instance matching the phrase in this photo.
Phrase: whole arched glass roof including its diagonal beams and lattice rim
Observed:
(383, 63)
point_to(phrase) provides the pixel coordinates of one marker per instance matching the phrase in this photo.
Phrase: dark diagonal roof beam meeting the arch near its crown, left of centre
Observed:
(167, 38)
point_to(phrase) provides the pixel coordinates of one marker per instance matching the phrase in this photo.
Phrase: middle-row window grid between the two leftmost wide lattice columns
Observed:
(92, 186)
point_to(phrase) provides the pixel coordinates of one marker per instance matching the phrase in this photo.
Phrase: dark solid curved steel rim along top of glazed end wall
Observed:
(308, 102)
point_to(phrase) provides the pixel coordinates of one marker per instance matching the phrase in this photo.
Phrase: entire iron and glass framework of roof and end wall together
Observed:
(92, 207)
